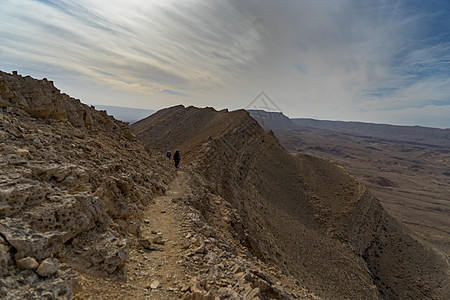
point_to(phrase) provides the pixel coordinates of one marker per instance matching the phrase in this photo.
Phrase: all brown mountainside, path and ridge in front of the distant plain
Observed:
(88, 210)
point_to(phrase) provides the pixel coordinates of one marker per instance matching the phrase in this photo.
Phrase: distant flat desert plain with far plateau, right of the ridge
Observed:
(405, 167)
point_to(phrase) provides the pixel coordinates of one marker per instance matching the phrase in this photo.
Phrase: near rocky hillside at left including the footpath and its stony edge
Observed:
(87, 212)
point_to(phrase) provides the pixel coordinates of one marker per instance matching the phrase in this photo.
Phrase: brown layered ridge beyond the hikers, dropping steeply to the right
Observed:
(308, 217)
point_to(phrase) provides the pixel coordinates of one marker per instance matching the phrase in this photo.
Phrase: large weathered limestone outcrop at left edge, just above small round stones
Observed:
(46, 227)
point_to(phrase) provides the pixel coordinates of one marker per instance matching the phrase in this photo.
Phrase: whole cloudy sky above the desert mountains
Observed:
(379, 61)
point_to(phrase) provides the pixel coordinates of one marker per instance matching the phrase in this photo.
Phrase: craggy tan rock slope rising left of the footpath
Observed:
(72, 184)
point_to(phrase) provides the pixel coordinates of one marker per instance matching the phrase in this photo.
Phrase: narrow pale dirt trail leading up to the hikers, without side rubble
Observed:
(150, 274)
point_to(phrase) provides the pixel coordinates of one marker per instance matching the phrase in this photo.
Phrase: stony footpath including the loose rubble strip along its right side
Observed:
(178, 256)
